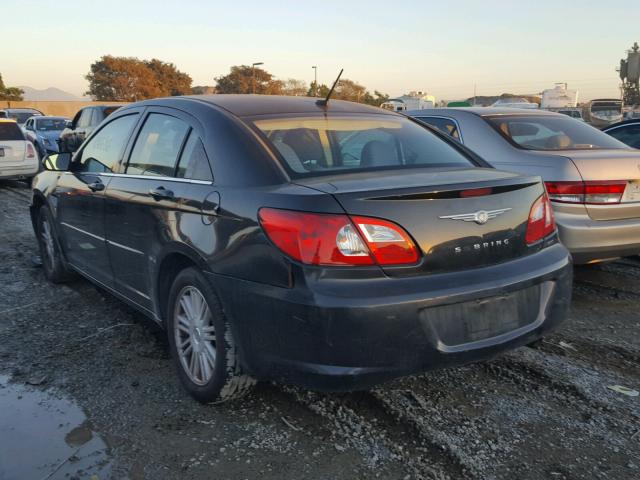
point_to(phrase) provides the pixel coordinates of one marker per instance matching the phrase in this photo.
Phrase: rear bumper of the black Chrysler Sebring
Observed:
(351, 334)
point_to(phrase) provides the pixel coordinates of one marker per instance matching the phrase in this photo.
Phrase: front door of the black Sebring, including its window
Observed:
(79, 198)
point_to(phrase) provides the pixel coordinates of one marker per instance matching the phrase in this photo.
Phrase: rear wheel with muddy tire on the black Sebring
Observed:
(201, 342)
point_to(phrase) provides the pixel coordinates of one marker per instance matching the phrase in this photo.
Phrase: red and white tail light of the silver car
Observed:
(589, 192)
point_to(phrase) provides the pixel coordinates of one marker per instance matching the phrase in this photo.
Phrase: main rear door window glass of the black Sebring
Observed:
(157, 146)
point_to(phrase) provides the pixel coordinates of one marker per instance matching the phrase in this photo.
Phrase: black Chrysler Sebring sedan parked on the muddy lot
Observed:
(332, 245)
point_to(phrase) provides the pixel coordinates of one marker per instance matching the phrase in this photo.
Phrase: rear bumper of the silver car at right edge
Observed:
(593, 240)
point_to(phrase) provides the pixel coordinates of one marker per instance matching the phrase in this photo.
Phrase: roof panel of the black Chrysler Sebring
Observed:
(243, 105)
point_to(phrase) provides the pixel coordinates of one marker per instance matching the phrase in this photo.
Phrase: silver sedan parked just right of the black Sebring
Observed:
(593, 179)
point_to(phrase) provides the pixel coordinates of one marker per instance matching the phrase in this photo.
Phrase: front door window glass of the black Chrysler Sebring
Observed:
(104, 150)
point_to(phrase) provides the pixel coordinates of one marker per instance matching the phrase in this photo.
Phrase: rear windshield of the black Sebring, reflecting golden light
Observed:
(328, 144)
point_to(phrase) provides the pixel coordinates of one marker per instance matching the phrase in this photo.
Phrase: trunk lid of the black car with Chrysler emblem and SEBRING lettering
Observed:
(459, 219)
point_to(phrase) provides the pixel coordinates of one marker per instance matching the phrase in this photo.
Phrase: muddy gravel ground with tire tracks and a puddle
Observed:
(87, 385)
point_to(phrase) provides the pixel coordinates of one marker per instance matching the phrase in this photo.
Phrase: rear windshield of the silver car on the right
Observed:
(537, 132)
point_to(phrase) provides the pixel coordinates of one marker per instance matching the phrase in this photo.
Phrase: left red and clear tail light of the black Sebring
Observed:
(326, 239)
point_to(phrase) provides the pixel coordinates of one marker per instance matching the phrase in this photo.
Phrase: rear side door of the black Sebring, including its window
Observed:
(143, 202)
